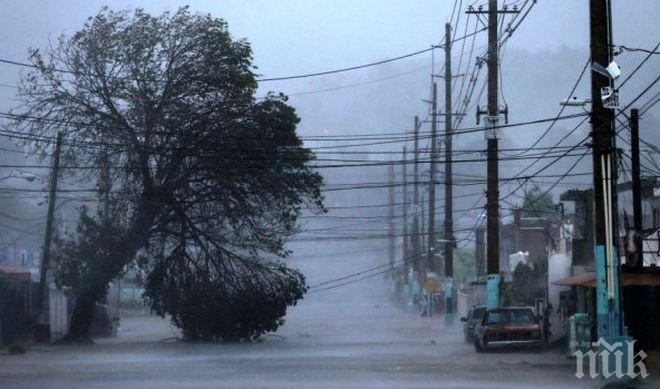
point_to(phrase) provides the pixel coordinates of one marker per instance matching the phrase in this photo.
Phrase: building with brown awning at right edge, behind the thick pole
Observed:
(641, 284)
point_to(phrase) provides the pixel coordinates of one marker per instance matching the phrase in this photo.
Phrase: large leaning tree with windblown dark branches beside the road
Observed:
(204, 181)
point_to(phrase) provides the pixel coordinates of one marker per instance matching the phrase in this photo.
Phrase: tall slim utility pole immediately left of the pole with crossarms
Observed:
(449, 222)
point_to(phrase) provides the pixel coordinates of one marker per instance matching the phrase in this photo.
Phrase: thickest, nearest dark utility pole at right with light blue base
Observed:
(608, 290)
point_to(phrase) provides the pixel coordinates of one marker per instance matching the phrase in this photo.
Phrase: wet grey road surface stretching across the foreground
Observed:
(351, 345)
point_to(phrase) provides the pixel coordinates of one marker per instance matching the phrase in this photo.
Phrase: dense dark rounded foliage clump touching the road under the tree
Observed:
(212, 305)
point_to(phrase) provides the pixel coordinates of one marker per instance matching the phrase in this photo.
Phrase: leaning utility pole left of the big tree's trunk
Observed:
(44, 295)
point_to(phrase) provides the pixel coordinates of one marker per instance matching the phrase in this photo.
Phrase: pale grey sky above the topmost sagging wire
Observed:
(296, 36)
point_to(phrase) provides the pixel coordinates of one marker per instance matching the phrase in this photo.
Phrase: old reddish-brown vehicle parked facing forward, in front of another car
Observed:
(508, 326)
